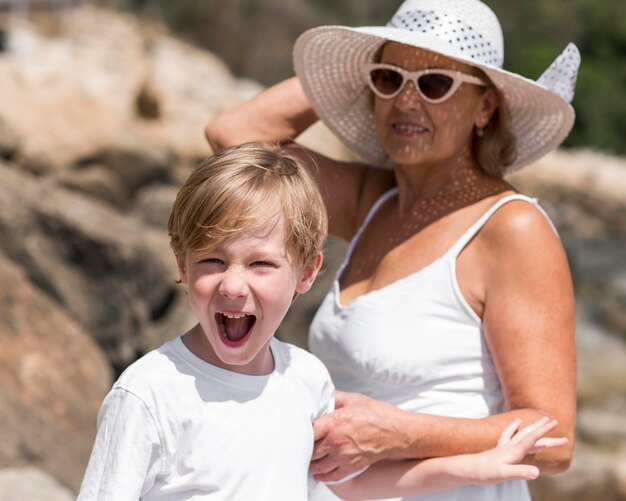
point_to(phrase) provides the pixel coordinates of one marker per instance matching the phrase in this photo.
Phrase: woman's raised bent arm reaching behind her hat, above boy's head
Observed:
(280, 114)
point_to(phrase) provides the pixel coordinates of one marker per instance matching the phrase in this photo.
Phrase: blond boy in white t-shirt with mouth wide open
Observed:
(225, 411)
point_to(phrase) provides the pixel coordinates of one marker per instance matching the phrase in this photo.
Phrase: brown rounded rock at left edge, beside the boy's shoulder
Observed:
(54, 378)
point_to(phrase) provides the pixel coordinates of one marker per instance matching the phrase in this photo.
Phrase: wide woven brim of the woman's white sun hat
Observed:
(329, 62)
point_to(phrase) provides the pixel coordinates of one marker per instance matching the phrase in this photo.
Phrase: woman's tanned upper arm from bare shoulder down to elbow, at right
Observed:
(528, 320)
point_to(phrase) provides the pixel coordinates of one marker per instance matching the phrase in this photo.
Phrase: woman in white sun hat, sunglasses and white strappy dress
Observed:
(453, 311)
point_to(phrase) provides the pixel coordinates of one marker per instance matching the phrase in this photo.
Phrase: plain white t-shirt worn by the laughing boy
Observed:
(174, 427)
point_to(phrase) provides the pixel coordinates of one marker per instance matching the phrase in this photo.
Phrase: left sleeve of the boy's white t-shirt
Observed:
(126, 455)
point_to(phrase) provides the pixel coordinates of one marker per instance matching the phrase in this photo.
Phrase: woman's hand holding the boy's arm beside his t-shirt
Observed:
(358, 433)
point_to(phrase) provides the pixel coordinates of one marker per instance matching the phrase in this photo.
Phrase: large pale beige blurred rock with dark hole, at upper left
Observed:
(74, 90)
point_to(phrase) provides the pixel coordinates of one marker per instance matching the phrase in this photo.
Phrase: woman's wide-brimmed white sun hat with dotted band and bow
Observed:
(329, 62)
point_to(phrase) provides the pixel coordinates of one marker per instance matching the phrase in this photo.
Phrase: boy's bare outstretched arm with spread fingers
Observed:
(392, 478)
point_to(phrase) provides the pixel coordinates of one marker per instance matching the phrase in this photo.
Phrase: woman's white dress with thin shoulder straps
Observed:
(417, 344)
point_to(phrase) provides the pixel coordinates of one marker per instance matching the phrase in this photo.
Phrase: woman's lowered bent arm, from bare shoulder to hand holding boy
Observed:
(528, 321)
